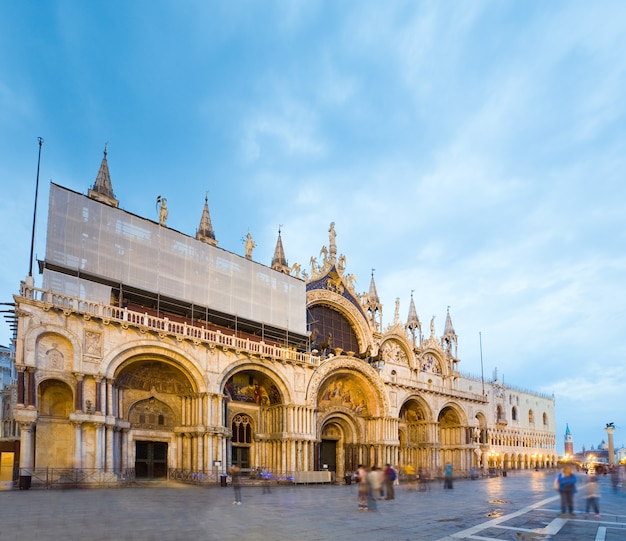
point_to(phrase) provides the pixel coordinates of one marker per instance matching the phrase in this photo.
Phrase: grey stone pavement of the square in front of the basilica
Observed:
(521, 505)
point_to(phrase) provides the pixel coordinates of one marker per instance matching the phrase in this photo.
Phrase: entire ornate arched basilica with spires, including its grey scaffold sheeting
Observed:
(150, 353)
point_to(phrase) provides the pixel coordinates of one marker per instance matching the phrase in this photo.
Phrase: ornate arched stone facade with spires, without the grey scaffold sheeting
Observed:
(122, 389)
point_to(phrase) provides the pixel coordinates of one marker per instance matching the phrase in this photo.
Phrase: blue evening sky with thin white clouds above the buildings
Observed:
(471, 154)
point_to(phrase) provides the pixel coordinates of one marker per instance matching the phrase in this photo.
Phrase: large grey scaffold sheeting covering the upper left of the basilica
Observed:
(89, 237)
